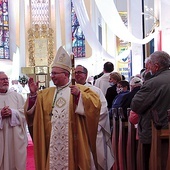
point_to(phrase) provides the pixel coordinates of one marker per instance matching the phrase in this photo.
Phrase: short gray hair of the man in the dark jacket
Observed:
(161, 58)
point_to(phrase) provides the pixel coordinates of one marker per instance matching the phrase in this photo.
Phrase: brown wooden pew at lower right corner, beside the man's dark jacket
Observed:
(158, 135)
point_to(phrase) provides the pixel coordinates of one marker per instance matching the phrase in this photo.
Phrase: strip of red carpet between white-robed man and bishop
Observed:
(30, 155)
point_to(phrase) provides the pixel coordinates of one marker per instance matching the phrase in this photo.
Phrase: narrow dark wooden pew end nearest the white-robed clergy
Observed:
(115, 137)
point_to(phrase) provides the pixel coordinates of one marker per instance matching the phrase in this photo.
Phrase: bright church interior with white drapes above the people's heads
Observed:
(121, 31)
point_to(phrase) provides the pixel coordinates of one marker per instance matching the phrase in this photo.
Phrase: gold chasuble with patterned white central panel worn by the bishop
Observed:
(53, 129)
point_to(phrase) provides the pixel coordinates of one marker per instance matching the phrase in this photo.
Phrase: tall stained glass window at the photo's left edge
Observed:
(4, 30)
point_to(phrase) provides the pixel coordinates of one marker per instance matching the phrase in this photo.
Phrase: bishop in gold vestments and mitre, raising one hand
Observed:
(65, 120)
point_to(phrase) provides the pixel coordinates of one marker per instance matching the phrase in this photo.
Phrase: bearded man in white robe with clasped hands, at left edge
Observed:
(13, 134)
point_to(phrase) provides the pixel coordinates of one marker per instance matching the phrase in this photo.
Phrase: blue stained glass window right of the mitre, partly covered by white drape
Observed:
(78, 39)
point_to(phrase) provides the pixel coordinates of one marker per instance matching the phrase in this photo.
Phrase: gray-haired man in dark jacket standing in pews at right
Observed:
(153, 97)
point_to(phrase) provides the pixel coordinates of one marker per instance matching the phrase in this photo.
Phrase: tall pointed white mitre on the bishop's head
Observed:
(62, 60)
